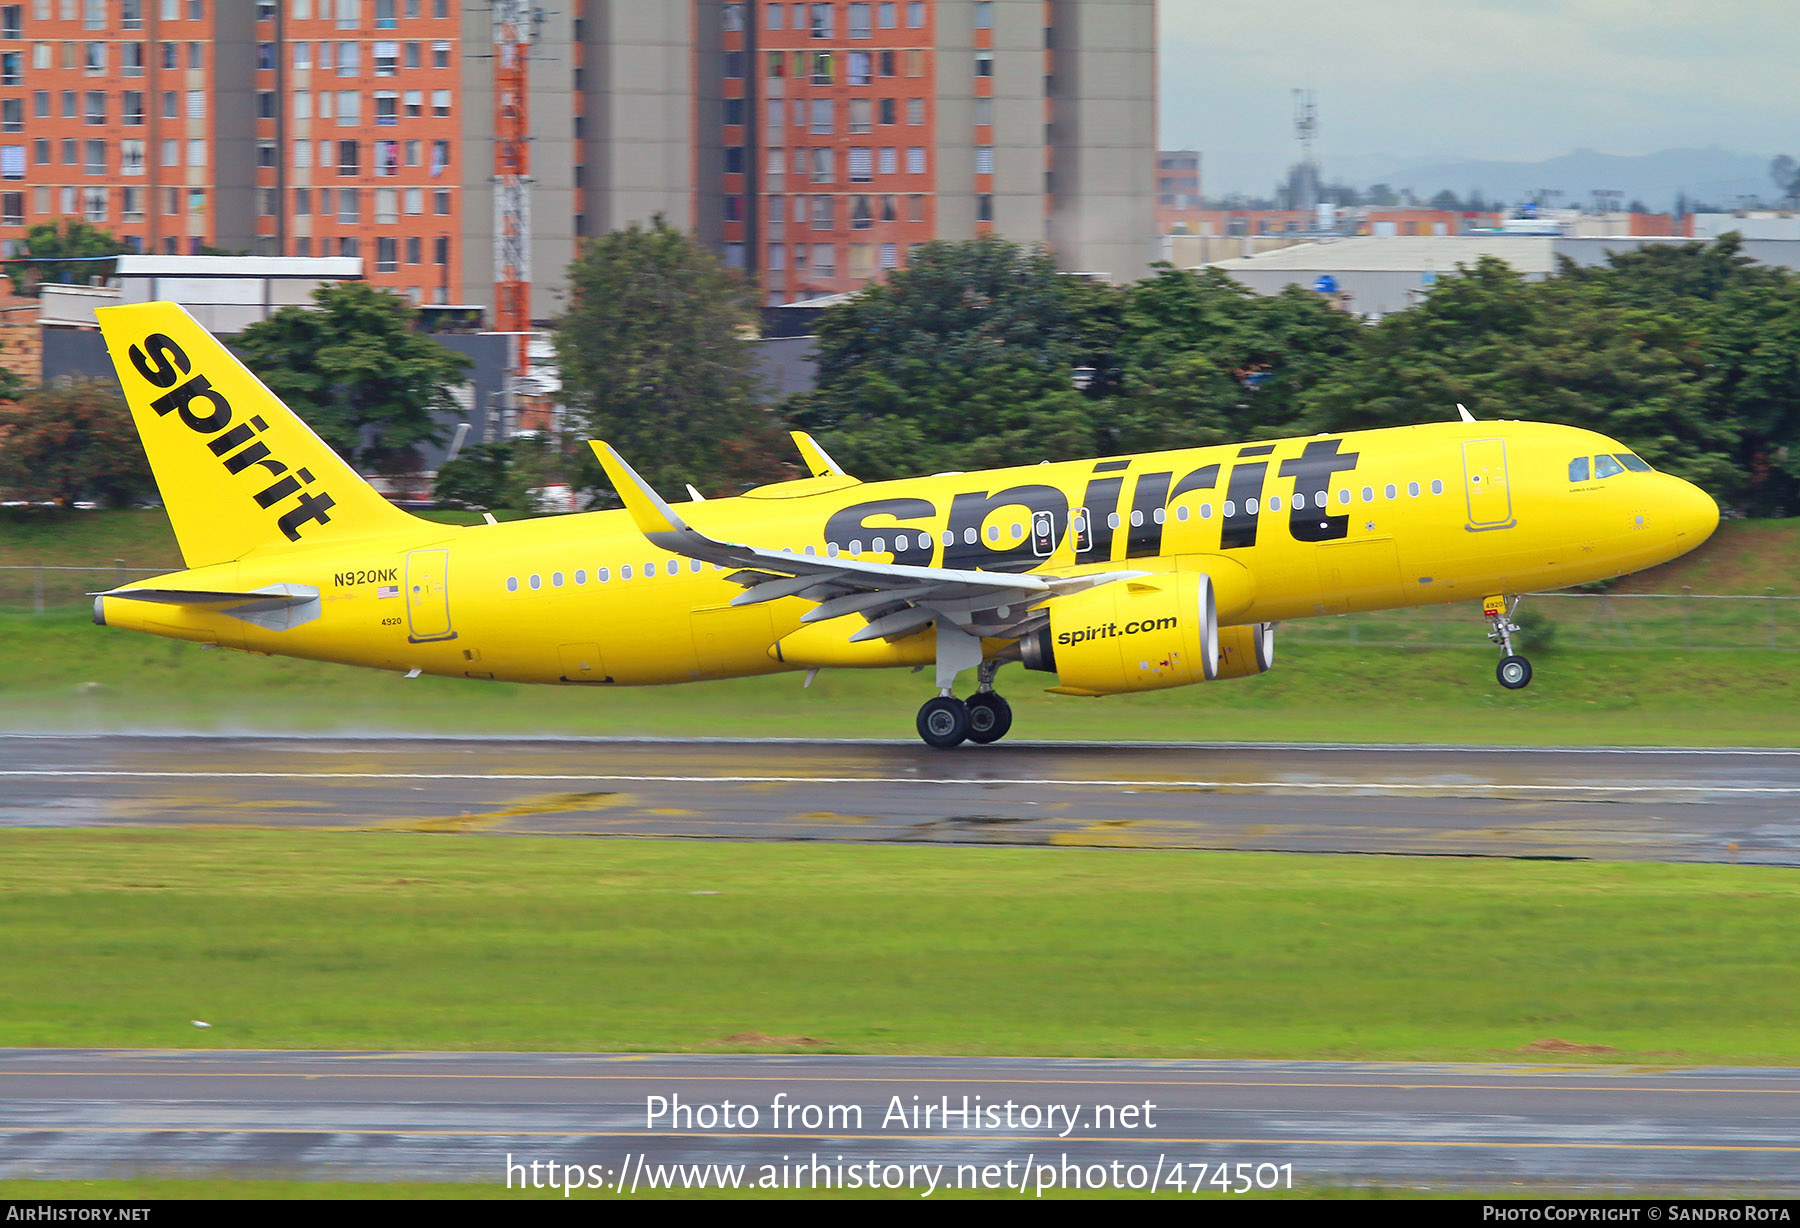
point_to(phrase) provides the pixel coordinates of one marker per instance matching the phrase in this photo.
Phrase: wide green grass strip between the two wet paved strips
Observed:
(449, 943)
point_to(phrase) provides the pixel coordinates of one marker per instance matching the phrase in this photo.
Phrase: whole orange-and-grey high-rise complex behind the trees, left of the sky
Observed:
(814, 145)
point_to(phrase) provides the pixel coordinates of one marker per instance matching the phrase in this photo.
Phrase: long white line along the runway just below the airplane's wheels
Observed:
(919, 781)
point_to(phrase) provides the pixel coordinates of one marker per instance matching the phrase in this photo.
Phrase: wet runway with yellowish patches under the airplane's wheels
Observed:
(1596, 804)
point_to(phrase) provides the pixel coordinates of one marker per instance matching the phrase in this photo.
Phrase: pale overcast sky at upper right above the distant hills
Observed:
(1515, 80)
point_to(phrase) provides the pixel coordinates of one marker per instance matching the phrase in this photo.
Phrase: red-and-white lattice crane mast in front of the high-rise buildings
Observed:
(514, 28)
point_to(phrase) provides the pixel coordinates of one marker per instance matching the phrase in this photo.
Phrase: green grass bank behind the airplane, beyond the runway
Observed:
(1619, 671)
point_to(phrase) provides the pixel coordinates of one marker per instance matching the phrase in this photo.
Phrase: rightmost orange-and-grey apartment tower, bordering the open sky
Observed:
(847, 134)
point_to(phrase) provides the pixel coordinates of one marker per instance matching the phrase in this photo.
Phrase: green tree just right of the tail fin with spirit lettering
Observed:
(361, 375)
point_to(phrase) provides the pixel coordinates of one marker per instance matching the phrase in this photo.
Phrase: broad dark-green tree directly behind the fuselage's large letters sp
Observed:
(964, 359)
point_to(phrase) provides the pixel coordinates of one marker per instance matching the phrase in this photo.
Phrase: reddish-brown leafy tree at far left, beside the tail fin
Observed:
(69, 442)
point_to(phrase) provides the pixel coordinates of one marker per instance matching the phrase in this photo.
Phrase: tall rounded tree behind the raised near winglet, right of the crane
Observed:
(654, 361)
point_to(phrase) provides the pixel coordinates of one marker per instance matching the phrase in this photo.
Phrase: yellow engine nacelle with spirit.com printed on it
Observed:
(1131, 637)
